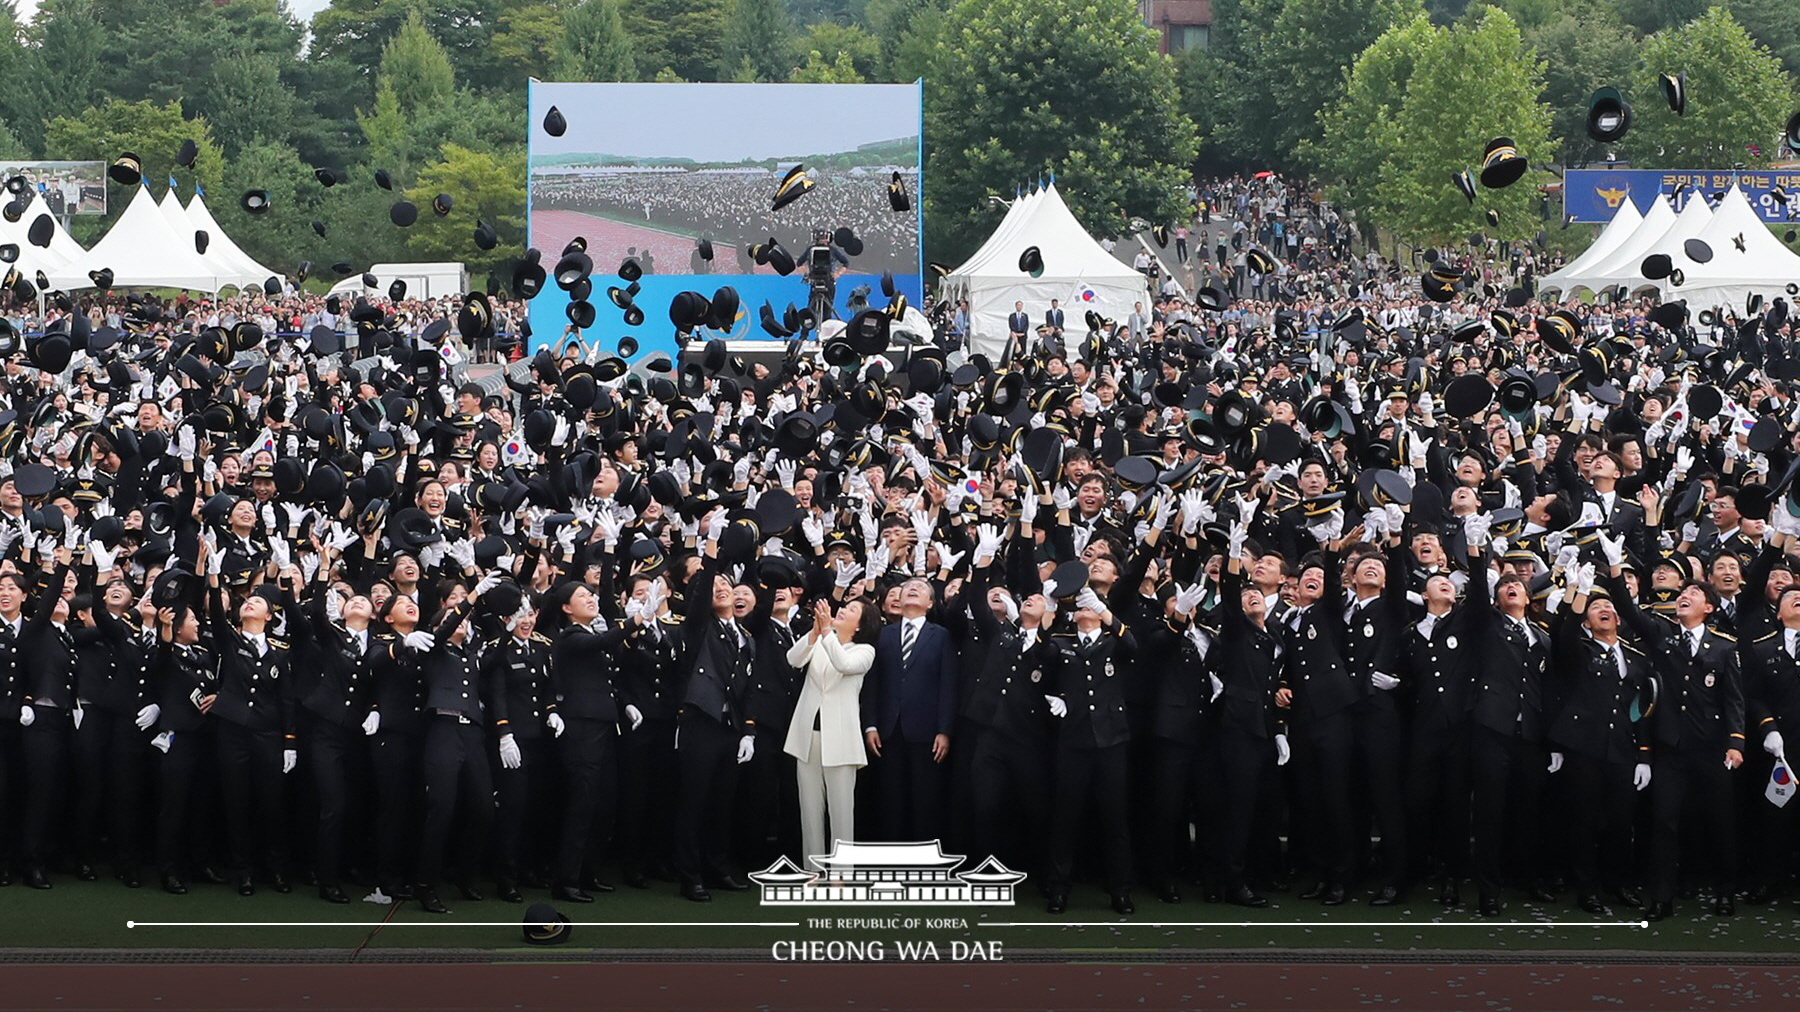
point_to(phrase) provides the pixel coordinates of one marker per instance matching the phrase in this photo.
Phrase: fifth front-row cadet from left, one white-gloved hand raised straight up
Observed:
(256, 728)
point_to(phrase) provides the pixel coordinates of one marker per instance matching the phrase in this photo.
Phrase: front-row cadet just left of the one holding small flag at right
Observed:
(1698, 730)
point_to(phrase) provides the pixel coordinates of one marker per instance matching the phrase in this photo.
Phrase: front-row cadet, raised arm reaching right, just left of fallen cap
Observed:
(458, 781)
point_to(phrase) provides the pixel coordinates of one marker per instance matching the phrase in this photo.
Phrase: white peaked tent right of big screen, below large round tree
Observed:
(1077, 273)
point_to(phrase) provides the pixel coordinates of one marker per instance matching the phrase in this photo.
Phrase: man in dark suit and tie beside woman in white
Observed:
(908, 710)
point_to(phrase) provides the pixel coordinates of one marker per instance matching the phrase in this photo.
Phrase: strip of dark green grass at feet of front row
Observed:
(94, 916)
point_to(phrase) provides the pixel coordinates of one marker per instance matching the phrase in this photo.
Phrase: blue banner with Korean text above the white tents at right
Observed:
(1594, 195)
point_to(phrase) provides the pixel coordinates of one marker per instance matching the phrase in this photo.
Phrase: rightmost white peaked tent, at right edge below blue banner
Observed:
(1747, 260)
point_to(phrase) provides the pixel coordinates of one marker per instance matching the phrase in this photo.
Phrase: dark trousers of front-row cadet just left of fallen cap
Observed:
(456, 784)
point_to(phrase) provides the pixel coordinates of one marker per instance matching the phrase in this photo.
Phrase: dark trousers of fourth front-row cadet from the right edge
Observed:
(1507, 779)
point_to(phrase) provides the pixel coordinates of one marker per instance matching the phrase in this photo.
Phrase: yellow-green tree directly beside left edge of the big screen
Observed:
(487, 188)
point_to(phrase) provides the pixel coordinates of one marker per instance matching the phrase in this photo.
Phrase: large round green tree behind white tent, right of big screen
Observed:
(1068, 87)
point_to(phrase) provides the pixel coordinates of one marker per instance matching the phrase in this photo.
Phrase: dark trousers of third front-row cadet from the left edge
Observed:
(111, 768)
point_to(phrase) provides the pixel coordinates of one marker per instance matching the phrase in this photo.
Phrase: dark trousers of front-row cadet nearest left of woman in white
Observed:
(708, 761)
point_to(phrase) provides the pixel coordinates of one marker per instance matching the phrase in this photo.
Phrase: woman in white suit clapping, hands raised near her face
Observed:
(827, 728)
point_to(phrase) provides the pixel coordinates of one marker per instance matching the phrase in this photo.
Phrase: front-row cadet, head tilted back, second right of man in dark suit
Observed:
(1093, 775)
